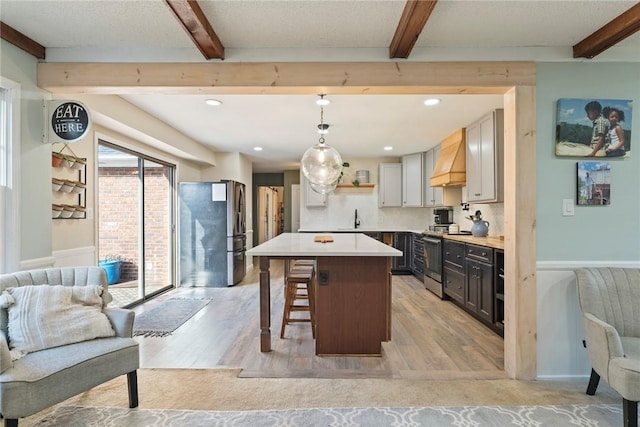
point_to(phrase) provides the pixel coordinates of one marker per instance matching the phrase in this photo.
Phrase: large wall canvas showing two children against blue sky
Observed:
(594, 127)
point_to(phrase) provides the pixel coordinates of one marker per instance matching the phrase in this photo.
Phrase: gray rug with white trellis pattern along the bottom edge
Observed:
(462, 416)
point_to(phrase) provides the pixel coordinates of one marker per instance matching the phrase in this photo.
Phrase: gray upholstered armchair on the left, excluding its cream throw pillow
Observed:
(46, 377)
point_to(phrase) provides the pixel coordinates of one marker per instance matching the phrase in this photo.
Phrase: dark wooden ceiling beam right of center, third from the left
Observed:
(414, 18)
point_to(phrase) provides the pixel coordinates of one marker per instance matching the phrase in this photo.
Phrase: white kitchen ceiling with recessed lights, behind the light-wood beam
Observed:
(286, 125)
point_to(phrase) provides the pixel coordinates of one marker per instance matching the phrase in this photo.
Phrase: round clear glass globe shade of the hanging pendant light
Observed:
(321, 164)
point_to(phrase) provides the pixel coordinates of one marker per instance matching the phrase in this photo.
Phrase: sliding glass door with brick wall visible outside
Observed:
(136, 223)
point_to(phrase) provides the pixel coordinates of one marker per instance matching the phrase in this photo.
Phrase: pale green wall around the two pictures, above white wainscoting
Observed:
(595, 233)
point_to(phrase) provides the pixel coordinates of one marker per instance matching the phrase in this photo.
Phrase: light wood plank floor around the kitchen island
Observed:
(431, 339)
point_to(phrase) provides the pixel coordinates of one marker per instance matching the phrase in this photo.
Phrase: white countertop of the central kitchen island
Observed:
(302, 244)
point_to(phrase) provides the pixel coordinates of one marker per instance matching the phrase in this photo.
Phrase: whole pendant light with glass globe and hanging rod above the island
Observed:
(322, 164)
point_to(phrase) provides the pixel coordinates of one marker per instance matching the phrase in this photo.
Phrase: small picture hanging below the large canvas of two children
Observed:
(594, 183)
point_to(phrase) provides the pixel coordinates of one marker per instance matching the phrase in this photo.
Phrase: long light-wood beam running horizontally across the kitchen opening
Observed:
(285, 77)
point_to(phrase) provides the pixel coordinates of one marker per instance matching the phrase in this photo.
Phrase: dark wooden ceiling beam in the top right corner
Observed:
(610, 34)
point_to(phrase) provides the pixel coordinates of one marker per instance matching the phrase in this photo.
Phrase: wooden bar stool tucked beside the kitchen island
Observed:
(299, 287)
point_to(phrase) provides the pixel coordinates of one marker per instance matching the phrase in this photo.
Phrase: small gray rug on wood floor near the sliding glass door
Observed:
(167, 316)
